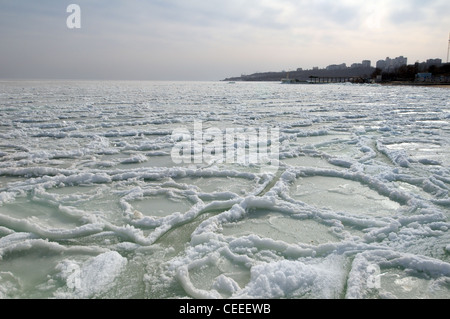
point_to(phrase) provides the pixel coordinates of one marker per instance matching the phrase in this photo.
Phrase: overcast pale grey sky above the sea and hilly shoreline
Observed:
(211, 39)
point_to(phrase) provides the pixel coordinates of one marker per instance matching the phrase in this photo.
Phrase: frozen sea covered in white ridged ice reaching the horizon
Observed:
(93, 204)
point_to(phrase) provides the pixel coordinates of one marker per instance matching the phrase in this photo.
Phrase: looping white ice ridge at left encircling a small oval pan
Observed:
(97, 224)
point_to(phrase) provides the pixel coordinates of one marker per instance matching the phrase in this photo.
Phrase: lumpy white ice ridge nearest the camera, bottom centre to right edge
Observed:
(297, 275)
